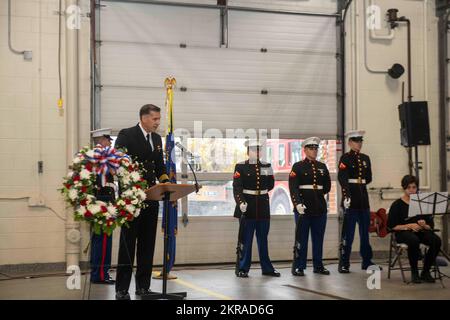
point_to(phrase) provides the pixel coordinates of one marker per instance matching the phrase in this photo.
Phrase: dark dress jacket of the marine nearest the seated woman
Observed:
(355, 172)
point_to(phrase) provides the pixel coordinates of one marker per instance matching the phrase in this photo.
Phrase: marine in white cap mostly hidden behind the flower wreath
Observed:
(101, 245)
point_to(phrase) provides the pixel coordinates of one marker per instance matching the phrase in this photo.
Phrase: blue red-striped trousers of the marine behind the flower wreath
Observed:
(101, 247)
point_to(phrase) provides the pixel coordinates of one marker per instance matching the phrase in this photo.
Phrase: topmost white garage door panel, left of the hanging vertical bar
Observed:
(137, 22)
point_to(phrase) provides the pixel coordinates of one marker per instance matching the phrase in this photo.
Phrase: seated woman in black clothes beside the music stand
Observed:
(414, 231)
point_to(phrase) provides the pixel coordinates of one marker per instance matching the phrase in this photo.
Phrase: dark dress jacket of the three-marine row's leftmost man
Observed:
(251, 184)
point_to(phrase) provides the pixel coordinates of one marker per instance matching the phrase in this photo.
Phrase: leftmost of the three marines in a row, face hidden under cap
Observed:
(252, 181)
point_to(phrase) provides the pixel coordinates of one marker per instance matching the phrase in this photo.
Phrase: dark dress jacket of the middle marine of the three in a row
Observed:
(309, 182)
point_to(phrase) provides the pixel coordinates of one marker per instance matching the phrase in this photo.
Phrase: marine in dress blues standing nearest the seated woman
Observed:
(355, 173)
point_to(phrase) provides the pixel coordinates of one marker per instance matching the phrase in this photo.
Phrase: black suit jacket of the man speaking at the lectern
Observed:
(137, 147)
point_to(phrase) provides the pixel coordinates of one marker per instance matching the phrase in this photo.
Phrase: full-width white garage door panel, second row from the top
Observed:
(137, 65)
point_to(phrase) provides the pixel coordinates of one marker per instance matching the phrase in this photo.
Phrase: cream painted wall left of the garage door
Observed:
(33, 129)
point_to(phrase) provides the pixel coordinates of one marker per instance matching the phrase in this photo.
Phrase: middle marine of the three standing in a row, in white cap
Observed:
(309, 182)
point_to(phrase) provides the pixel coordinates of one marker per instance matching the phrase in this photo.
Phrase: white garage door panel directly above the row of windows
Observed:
(296, 116)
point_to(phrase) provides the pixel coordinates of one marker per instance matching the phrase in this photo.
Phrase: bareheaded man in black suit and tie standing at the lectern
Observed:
(144, 145)
